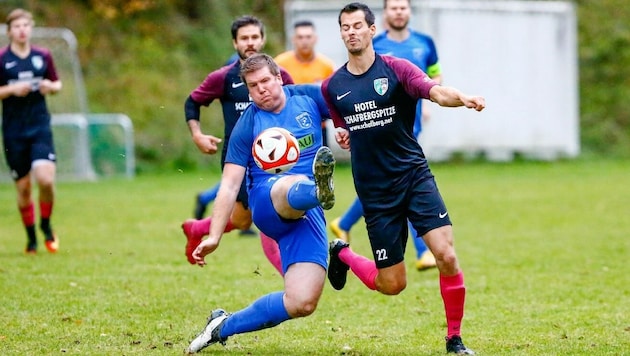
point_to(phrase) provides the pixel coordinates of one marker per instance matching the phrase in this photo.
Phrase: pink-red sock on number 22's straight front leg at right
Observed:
(453, 294)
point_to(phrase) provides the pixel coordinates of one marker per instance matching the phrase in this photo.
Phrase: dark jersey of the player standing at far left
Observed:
(23, 116)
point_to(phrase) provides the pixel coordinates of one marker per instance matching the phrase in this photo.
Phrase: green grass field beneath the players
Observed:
(544, 247)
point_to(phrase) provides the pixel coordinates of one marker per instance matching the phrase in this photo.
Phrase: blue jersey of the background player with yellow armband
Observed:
(419, 49)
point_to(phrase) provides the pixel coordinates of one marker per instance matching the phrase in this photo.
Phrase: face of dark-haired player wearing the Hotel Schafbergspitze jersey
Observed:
(355, 32)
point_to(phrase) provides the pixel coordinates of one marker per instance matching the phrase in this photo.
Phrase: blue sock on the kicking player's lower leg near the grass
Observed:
(266, 312)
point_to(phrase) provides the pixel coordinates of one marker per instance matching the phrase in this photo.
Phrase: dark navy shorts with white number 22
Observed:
(421, 204)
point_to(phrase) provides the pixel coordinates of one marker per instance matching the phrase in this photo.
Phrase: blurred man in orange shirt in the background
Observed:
(305, 65)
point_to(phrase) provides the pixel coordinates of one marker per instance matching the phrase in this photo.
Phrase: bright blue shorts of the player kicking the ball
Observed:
(301, 240)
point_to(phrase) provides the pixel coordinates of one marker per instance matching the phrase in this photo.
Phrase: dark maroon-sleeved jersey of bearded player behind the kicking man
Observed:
(226, 85)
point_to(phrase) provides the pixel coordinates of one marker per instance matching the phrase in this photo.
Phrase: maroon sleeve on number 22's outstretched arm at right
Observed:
(416, 82)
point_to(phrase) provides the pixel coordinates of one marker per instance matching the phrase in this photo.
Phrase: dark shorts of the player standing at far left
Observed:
(21, 152)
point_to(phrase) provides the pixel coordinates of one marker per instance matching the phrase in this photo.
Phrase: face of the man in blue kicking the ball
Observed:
(265, 89)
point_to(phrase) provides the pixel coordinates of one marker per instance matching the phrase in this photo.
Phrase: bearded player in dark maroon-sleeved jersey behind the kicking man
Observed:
(225, 85)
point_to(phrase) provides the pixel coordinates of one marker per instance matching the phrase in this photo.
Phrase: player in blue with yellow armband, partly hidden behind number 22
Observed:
(400, 41)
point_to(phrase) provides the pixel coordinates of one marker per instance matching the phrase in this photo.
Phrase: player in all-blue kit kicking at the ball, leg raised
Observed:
(287, 206)
